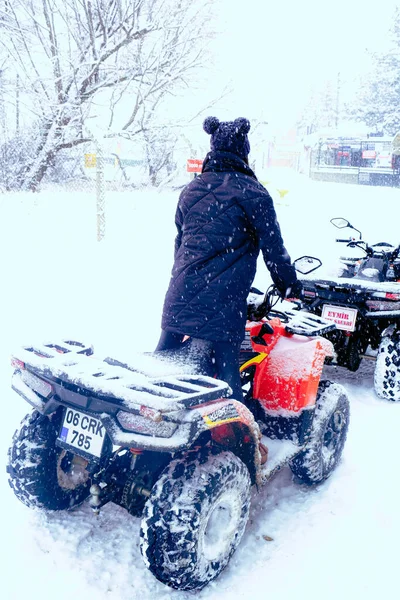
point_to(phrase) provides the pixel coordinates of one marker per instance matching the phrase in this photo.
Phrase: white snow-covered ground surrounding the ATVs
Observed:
(337, 540)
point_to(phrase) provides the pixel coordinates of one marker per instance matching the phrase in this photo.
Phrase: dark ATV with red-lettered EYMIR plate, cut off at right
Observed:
(364, 303)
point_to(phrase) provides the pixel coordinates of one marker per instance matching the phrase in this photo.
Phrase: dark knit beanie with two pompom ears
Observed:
(229, 136)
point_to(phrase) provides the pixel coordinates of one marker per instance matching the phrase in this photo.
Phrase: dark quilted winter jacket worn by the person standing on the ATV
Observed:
(224, 218)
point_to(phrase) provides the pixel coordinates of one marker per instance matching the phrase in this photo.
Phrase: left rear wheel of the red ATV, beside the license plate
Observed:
(41, 474)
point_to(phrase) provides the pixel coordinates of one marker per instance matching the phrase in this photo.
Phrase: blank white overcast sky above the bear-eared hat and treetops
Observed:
(274, 54)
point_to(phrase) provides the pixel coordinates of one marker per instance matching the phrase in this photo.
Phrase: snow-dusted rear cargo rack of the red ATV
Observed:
(157, 382)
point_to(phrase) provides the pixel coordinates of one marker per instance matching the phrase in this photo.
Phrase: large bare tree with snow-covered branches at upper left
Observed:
(72, 56)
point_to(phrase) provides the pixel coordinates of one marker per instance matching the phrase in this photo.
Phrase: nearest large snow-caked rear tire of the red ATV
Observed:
(195, 518)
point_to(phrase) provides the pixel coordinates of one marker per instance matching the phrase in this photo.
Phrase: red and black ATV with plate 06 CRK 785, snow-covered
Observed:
(168, 444)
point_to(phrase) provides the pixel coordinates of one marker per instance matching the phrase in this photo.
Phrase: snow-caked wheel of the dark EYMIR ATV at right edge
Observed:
(387, 369)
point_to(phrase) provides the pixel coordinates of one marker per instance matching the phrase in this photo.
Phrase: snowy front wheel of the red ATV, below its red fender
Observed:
(328, 435)
